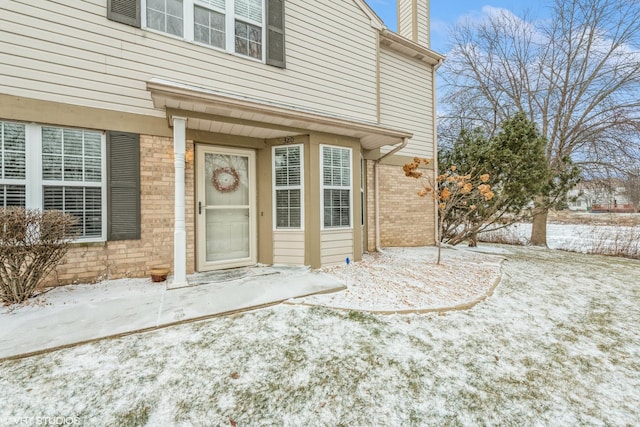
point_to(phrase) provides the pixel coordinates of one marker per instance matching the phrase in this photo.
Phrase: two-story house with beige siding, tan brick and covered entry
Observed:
(209, 134)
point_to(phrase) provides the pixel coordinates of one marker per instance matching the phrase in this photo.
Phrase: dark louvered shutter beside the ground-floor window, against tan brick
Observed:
(123, 186)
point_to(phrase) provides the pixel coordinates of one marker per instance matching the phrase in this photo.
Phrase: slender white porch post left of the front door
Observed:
(180, 230)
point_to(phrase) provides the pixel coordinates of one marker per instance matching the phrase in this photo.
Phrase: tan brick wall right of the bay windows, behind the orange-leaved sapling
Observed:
(405, 218)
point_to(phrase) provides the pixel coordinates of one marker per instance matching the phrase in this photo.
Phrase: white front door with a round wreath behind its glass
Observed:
(225, 207)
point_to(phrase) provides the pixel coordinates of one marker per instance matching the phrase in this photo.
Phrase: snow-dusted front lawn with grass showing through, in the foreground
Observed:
(556, 344)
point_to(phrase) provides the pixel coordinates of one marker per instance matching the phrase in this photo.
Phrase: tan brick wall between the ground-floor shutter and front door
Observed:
(92, 262)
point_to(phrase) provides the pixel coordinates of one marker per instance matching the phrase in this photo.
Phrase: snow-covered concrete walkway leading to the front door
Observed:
(78, 314)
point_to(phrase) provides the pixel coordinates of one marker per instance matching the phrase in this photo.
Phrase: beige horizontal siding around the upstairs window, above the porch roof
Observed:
(71, 53)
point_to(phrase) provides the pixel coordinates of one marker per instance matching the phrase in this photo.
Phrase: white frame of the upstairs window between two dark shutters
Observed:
(188, 10)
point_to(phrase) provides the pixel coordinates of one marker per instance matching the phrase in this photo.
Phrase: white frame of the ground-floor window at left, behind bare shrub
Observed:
(34, 182)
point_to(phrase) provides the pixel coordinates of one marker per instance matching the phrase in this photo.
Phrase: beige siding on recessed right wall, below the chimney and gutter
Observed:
(406, 100)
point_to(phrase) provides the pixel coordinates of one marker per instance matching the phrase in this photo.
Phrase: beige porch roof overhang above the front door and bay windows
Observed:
(219, 112)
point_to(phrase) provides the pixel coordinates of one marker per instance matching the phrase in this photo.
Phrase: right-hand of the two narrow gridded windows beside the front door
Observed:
(336, 187)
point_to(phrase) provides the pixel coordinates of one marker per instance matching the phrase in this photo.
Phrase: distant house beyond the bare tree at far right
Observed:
(600, 195)
